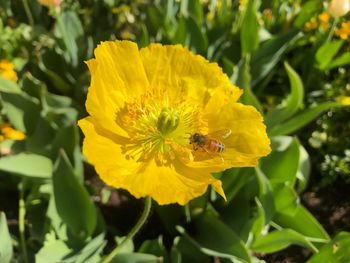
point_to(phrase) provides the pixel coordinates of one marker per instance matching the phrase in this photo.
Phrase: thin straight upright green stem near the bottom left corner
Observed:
(21, 220)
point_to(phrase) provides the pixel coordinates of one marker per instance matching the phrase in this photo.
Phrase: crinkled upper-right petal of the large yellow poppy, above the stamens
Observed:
(182, 73)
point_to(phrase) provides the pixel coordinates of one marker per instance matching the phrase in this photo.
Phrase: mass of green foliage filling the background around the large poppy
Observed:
(290, 74)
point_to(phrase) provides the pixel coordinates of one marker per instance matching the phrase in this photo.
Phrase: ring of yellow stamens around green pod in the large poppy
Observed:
(158, 128)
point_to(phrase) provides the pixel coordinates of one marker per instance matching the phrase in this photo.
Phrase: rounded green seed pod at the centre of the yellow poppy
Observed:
(168, 120)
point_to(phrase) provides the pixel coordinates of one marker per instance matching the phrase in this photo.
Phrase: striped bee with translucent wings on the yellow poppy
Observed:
(210, 143)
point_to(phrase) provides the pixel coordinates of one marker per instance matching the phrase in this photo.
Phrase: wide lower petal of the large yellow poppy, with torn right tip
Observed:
(175, 184)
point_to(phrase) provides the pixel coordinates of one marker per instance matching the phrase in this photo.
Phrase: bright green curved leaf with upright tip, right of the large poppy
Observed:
(293, 102)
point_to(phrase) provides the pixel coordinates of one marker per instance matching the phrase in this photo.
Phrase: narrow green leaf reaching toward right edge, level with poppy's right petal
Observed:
(301, 119)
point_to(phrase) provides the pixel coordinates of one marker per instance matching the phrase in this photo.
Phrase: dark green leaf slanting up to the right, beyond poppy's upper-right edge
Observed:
(269, 54)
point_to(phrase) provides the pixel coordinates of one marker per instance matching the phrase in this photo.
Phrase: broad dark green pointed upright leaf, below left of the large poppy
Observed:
(72, 200)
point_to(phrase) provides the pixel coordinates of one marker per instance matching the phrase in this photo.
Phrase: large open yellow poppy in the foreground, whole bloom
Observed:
(144, 107)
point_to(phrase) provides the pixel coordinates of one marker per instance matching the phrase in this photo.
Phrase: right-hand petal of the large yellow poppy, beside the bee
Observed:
(248, 140)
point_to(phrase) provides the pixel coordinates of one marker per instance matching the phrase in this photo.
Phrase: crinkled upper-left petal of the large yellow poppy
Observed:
(117, 76)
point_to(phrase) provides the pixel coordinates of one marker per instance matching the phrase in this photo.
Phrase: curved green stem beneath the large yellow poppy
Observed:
(133, 231)
